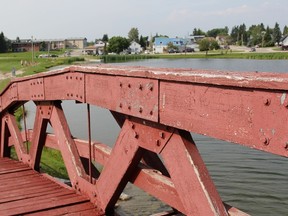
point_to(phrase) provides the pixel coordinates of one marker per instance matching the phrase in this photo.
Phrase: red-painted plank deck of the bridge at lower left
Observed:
(23, 191)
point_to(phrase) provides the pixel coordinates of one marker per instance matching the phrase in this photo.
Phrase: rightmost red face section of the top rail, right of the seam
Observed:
(229, 114)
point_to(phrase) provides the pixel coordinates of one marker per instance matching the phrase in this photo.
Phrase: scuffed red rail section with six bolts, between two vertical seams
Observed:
(131, 96)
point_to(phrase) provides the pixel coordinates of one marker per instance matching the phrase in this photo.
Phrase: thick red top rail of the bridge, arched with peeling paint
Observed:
(204, 100)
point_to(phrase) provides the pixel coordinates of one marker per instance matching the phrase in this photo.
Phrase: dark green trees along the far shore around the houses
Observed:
(260, 35)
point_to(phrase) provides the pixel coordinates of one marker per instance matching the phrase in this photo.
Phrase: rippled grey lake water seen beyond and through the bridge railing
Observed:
(253, 181)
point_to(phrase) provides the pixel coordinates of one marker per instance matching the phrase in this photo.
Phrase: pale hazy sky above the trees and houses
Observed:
(60, 19)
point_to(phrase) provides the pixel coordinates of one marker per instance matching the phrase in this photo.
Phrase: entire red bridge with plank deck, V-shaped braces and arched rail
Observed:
(156, 110)
